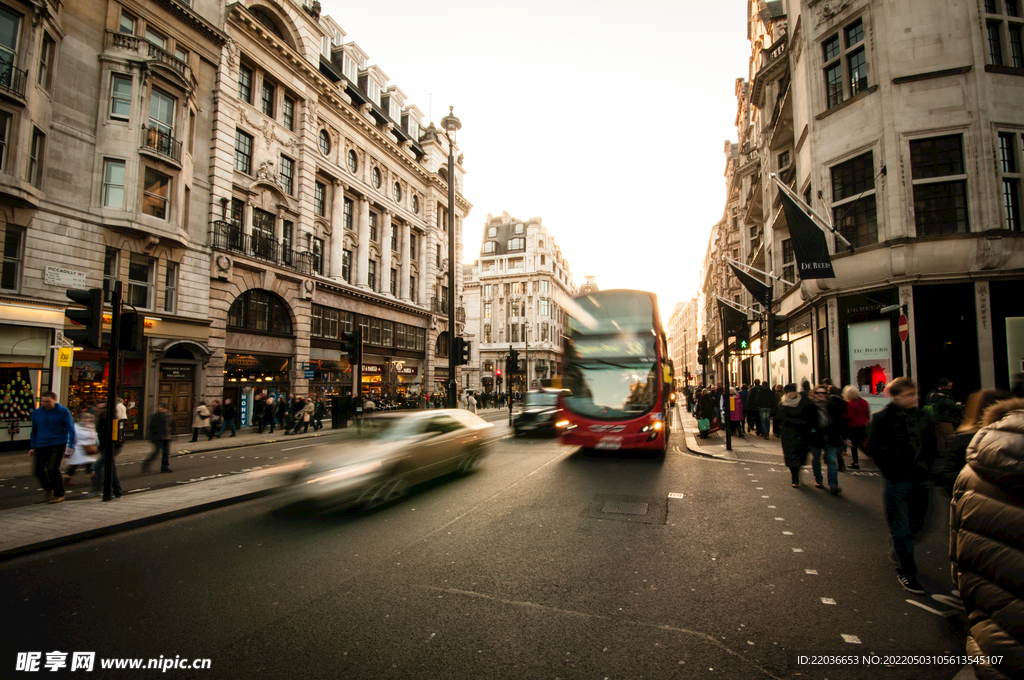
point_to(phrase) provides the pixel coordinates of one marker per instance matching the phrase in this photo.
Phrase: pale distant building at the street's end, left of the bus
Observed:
(516, 295)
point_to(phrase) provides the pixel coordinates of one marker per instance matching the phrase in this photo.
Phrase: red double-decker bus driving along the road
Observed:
(618, 374)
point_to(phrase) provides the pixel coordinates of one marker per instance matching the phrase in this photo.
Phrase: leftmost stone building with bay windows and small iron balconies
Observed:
(106, 110)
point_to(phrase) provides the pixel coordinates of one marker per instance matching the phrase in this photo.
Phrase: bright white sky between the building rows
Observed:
(606, 118)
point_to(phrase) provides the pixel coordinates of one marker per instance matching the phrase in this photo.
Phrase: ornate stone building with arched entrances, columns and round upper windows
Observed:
(329, 215)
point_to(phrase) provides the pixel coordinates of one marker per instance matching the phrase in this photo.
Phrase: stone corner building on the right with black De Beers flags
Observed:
(906, 133)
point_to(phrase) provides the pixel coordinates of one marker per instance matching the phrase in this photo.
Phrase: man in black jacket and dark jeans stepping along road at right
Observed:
(903, 443)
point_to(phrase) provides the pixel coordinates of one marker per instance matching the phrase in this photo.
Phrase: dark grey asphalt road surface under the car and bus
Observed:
(518, 571)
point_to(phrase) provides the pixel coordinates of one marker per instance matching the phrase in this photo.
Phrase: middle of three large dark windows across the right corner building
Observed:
(940, 186)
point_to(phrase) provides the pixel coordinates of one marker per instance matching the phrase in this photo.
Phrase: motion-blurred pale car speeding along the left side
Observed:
(404, 450)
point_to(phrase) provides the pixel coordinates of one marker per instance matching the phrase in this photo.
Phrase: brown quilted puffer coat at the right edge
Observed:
(987, 541)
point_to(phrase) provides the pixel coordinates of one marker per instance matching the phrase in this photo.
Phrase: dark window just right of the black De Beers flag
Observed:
(854, 201)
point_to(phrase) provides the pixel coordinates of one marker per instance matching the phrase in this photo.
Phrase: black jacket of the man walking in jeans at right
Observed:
(903, 444)
